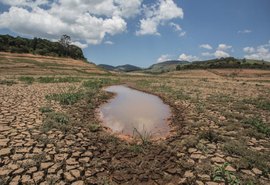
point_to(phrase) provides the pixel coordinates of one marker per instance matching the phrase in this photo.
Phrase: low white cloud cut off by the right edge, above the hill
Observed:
(261, 52)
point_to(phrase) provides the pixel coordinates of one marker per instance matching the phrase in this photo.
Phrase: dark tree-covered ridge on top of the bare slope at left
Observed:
(41, 47)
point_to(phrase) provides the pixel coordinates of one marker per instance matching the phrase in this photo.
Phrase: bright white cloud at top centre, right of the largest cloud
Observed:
(162, 11)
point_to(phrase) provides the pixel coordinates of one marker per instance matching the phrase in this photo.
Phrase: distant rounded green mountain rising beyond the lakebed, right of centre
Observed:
(165, 66)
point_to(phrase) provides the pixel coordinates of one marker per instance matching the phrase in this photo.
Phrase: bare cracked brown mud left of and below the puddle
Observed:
(30, 156)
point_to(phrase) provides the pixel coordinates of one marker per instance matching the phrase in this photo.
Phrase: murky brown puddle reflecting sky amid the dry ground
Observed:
(132, 110)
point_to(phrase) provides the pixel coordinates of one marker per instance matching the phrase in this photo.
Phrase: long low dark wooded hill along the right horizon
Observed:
(228, 62)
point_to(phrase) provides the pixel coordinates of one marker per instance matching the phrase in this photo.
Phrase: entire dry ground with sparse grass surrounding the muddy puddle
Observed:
(218, 119)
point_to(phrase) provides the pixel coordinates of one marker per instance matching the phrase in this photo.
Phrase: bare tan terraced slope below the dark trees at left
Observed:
(29, 64)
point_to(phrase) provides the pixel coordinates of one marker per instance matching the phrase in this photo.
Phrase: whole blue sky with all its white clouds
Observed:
(144, 32)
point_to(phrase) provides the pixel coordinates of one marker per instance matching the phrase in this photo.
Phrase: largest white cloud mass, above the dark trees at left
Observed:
(88, 21)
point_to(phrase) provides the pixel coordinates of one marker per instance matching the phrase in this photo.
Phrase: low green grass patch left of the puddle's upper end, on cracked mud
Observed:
(66, 98)
